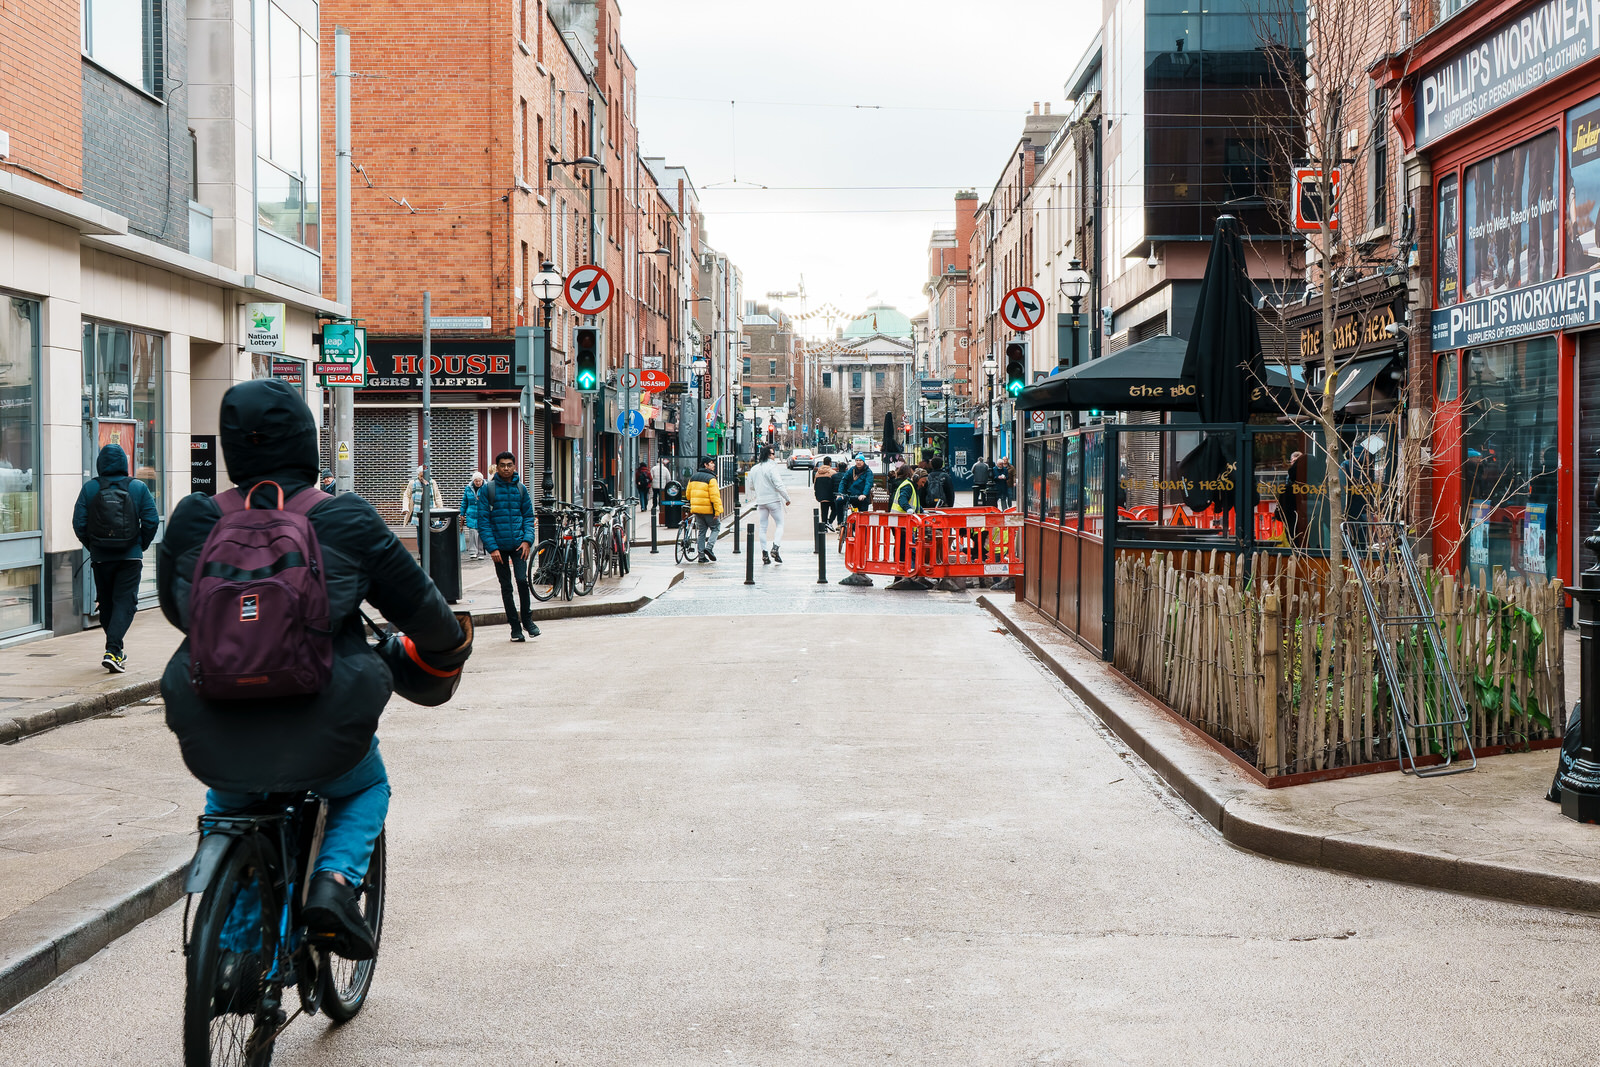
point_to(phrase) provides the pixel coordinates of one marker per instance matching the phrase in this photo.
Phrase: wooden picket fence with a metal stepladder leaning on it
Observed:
(1282, 669)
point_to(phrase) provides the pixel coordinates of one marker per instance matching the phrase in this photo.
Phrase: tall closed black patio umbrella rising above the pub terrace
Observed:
(1223, 362)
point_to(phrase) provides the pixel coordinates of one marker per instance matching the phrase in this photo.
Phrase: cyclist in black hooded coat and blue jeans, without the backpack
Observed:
(326, 741)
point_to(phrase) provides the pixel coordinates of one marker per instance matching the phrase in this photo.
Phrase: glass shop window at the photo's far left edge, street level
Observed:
(22, 545)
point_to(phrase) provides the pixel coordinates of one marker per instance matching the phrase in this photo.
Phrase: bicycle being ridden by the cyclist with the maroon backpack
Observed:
(247, 943)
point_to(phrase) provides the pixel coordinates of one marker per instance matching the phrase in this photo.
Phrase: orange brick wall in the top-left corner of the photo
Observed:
(41, 102)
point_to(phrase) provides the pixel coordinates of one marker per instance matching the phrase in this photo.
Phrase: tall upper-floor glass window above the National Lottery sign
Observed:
(287, 129)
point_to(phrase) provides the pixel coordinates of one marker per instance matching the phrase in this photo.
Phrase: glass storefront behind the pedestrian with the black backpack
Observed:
(122, 406)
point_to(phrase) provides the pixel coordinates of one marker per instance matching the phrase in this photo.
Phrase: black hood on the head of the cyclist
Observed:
(268, 433)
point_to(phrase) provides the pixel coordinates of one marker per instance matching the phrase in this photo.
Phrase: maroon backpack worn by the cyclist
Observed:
(258, 612)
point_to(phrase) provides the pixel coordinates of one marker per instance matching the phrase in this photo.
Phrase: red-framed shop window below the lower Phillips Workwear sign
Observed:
(1511, 455)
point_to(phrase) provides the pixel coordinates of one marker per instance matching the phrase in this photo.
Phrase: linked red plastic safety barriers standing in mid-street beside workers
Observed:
(948, 543)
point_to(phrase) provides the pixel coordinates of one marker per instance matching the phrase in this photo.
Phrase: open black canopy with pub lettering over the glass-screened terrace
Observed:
(1145, 377)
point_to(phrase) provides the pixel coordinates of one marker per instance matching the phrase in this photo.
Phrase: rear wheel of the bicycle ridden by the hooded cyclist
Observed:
(231, 953)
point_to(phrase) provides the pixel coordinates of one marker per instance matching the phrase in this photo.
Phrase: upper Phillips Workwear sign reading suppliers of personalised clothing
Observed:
(1521, 57)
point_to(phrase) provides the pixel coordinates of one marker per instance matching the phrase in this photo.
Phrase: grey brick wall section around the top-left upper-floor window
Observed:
(137, 158)
